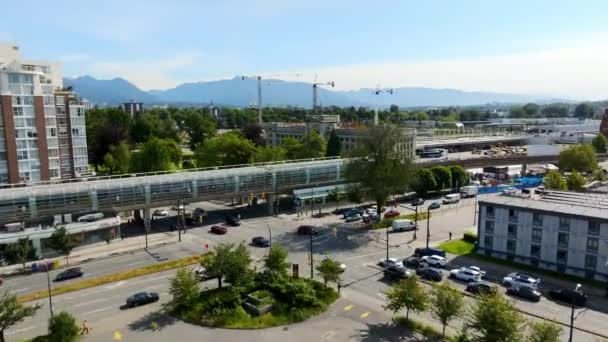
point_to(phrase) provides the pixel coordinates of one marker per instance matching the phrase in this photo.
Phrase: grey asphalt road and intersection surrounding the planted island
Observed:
(357, 248)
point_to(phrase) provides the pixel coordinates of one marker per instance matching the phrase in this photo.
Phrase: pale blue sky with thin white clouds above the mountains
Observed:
(546, 47)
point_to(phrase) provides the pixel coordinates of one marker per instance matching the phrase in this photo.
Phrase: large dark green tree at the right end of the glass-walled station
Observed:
(378, 166)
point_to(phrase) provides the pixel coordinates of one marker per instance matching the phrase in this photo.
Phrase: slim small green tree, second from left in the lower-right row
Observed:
(446, 304)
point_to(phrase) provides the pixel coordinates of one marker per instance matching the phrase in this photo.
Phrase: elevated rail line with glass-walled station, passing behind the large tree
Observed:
(140, 191)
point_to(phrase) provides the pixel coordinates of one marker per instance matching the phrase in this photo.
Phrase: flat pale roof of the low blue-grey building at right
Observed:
(569, 203)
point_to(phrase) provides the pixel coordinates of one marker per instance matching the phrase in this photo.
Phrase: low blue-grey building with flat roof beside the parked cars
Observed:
(560, 231)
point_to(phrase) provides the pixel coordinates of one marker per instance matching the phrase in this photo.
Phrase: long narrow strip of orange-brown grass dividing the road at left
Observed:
(111, 278)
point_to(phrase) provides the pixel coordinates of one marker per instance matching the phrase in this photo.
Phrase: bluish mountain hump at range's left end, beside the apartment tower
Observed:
(107, 92)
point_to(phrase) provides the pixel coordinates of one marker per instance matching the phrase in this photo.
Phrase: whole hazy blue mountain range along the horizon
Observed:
(239, 93)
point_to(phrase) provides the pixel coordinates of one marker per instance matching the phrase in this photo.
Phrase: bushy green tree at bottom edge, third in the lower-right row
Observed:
(494, 319)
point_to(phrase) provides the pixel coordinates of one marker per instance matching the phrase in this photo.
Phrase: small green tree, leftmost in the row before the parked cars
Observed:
(407, 294)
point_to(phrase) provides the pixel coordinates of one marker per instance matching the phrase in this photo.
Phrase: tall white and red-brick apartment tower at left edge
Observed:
(36, 135)
